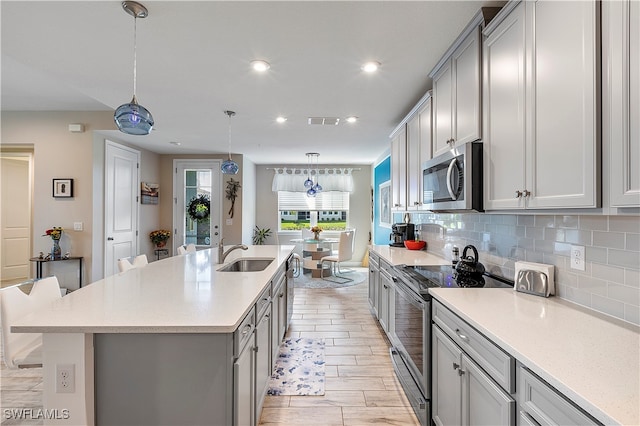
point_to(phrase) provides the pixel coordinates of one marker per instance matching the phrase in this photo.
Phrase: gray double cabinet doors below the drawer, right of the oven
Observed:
(463, 394)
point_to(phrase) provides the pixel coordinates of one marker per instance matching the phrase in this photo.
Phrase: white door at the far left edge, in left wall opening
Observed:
(15, 217)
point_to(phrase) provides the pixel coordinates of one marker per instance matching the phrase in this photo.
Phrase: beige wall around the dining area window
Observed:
(359, 206)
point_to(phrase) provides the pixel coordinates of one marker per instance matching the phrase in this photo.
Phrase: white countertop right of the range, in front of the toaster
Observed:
(592, 359)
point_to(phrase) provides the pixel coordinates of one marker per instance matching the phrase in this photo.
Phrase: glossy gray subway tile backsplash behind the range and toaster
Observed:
(610, 282)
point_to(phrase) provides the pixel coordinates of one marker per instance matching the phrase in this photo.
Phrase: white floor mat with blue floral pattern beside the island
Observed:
(299, 368)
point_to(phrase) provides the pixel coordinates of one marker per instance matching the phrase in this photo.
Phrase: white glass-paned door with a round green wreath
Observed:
(193, 178)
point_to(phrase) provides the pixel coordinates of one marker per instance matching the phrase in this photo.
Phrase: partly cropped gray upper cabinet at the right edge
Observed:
(621, 100)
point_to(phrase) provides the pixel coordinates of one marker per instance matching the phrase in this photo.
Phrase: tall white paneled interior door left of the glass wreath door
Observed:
(122, 186)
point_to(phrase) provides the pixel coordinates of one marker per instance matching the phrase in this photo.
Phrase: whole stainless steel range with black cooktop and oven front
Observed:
(411, 334)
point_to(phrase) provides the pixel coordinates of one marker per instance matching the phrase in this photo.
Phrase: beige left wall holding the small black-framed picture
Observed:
(59, 153)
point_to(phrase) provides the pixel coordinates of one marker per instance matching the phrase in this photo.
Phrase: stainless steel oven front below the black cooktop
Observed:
(410, 353)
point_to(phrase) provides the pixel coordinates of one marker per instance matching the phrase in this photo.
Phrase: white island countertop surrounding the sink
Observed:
(180, 294)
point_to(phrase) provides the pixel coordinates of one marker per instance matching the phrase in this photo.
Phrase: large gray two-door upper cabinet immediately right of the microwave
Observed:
(541, 118)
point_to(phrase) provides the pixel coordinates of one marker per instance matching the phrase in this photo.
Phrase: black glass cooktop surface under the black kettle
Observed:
(421, 278)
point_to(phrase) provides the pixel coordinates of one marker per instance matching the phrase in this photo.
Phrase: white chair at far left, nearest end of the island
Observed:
(24, 350)
